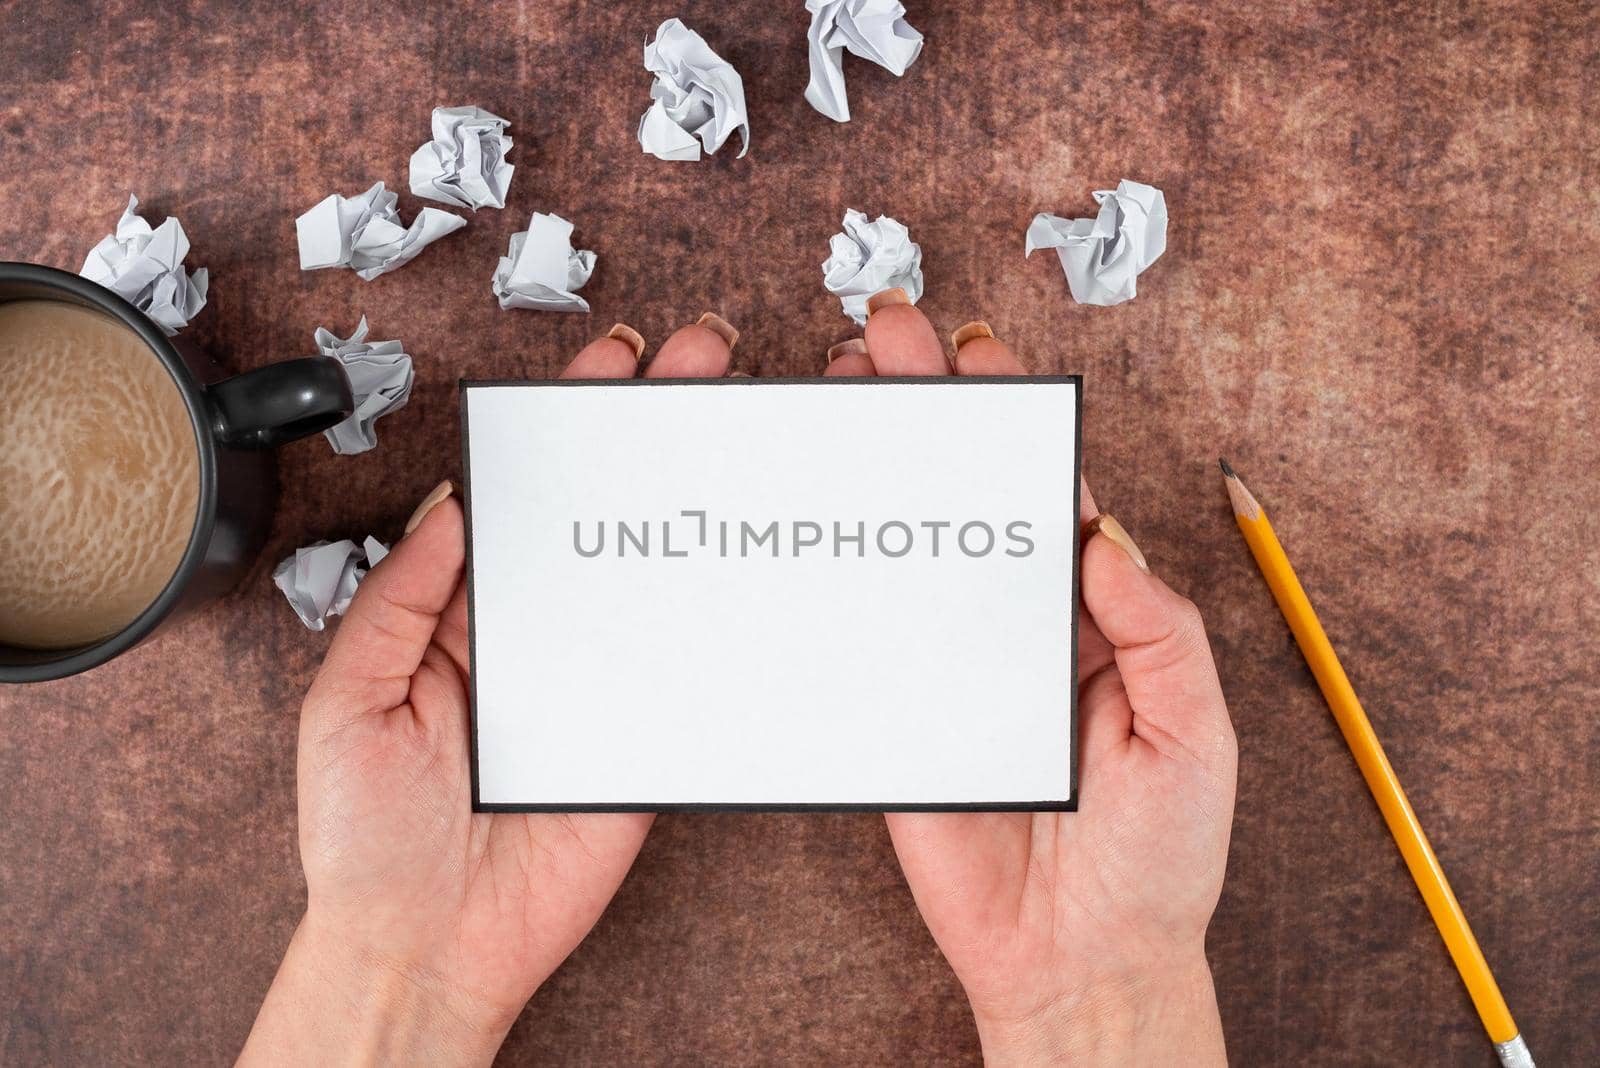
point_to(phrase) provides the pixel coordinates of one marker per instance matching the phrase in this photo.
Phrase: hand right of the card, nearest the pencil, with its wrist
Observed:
(1081, 936)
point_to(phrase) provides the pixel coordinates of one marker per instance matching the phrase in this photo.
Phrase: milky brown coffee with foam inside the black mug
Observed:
(100, 476)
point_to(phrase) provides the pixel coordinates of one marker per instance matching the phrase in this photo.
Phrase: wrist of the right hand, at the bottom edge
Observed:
(1151, 1018)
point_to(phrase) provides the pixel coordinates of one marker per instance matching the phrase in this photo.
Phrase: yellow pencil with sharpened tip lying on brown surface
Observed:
(1380, 776)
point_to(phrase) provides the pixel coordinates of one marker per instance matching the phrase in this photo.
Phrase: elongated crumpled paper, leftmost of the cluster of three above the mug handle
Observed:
(366, 233)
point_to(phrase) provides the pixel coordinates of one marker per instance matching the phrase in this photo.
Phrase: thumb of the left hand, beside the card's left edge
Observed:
(393, 618)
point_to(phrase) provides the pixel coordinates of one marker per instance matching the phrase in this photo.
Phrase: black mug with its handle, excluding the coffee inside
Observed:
(238, 423)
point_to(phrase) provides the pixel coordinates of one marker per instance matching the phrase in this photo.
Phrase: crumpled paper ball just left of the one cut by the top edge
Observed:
(698, 97)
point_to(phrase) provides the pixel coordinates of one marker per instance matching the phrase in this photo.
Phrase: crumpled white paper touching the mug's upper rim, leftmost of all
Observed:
(146, 268)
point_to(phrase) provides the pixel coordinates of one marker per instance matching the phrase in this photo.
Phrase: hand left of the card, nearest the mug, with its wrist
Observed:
(428, 928)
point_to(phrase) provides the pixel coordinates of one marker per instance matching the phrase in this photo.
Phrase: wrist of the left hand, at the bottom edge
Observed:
(335, 1002)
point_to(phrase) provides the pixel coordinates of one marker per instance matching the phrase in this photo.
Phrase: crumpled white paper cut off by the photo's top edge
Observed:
(873, 30)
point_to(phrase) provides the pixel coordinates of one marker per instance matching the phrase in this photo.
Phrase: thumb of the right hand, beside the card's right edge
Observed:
(1161, 645)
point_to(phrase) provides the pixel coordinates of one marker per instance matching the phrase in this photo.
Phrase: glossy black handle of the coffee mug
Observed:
(281, 402)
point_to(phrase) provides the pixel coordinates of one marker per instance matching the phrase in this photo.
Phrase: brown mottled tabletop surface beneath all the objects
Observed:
(1378, 300)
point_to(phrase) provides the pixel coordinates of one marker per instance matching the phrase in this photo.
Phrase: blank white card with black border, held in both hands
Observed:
(774, 594)
